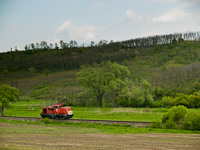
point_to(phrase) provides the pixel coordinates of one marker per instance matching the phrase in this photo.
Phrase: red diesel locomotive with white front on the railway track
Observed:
(57, 111)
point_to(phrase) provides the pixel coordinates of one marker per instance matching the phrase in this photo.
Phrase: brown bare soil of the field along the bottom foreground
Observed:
(90, 141)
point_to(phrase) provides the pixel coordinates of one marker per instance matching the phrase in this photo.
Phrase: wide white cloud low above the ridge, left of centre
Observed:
(82, 33)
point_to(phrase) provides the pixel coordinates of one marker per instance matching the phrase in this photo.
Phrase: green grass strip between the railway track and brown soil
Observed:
(76, 127)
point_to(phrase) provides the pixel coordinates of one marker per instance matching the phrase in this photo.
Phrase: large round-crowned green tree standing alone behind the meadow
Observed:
(101, 78)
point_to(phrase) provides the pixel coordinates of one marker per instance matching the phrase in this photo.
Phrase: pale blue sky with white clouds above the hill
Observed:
(29, 21)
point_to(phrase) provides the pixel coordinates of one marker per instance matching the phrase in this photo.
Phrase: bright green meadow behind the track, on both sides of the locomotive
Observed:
(32, 108)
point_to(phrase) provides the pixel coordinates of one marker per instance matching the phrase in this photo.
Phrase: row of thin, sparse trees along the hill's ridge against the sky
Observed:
(145, 41)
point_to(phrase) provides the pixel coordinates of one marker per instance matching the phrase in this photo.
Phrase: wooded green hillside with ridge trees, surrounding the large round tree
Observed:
(164, 71)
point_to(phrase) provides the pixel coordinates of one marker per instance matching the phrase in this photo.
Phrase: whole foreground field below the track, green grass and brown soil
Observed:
(35, 135)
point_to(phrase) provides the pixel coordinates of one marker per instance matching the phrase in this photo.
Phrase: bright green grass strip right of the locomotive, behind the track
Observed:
(125, 114)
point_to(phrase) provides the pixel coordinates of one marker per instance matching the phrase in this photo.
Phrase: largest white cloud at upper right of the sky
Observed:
(173, 15)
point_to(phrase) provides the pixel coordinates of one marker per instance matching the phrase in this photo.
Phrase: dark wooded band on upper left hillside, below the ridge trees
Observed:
(61, 59)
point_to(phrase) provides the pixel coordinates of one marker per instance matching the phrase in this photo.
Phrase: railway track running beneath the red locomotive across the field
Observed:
(134, 123)
